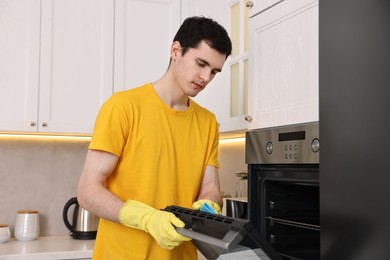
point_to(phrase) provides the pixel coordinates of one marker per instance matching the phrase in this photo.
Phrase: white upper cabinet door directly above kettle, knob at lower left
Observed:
(76, 63)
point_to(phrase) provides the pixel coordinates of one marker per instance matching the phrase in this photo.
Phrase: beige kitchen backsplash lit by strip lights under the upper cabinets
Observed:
(42, 174)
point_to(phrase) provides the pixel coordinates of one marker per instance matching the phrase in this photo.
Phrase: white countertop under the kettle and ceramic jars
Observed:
(47, 248)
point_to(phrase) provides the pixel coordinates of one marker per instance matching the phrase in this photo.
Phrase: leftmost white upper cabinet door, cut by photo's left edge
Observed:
(19, 64)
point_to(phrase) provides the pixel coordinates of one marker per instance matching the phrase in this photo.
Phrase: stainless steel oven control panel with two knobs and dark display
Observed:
(285, 144)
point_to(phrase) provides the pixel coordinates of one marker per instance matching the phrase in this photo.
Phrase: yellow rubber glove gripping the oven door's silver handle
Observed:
(160, 224)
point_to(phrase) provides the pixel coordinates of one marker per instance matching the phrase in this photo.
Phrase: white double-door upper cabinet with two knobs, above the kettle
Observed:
(61, 58)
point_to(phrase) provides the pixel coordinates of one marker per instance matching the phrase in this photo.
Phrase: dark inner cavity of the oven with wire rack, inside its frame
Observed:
(292, 218)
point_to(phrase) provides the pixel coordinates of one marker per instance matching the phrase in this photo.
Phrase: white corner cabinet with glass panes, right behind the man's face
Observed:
(225, 96)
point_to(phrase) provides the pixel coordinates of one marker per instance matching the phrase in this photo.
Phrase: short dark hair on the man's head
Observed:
(196, 29)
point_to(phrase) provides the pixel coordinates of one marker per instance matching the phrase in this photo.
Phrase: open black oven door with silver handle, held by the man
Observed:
(215, 235)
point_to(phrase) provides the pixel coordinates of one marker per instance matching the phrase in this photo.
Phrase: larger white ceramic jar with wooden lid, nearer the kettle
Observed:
(27, 225)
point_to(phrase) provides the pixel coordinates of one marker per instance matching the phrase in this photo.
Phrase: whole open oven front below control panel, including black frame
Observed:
(284, 208)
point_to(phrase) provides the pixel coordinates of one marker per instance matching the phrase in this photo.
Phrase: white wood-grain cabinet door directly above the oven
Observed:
(283, 64)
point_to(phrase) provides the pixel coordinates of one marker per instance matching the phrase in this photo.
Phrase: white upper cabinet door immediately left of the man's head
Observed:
(144, 31)
